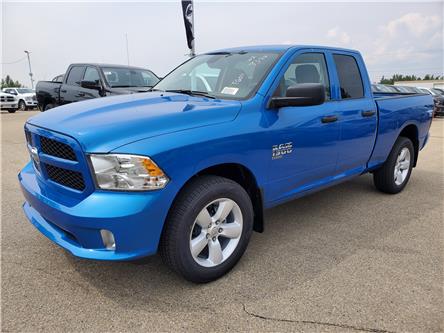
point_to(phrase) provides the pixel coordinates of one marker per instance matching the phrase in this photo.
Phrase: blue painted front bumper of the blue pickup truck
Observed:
(135, 219)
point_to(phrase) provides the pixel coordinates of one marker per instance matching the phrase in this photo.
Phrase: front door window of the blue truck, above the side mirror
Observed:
(305, 68)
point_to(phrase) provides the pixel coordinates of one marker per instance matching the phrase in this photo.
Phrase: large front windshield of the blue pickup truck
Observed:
(220, 75)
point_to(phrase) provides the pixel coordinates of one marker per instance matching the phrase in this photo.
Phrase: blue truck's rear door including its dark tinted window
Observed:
(357, 112)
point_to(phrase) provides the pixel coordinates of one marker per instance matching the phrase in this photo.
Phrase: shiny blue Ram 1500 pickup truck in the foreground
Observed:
(188, 168)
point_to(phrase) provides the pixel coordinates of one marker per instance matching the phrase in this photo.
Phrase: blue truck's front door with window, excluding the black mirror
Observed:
(304, 138)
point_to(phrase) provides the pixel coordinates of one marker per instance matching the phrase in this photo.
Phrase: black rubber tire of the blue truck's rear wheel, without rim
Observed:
(384, 178)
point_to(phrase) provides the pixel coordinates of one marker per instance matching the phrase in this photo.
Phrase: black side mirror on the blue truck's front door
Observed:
(303, 94)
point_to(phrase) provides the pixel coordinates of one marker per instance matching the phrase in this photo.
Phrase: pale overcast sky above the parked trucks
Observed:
(395, 37)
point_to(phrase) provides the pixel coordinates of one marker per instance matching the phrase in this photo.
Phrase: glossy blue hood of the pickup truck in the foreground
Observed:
(104, 124)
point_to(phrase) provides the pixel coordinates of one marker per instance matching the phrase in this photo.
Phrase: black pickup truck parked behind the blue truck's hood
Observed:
(86, 81)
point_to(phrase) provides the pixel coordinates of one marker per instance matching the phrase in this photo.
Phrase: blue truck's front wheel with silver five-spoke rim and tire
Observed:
(208, 229)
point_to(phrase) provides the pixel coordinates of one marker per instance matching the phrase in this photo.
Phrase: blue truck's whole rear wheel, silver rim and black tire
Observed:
(393, 176)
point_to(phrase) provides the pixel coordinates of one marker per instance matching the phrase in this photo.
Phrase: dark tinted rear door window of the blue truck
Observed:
(349, 76)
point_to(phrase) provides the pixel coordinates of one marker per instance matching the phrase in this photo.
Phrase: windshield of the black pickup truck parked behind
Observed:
(129, 77)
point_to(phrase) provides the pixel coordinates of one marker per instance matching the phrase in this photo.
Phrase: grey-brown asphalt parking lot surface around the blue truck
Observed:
(345, 259)
